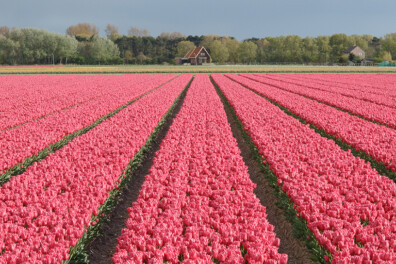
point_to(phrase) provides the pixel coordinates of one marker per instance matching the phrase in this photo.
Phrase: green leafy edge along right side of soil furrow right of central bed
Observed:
(300, 228)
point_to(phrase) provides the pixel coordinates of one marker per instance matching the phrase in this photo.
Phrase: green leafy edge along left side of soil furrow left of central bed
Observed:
(78, 253)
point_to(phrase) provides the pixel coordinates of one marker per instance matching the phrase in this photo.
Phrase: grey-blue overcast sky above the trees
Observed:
(241, 19)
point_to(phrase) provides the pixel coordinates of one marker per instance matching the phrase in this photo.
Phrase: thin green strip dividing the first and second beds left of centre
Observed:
(42, 154)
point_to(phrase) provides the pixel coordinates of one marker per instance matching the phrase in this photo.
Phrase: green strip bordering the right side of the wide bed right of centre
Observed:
(378, 166)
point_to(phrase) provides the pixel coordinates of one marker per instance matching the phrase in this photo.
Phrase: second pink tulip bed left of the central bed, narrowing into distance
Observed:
(27, 140)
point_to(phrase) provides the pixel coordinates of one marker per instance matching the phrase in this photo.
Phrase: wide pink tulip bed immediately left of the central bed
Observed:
(46, 210)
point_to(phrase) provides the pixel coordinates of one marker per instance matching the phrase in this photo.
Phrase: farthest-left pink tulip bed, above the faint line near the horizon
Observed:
(27, 98)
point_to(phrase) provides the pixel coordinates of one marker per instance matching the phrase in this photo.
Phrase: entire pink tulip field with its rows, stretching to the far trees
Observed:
(70, 145)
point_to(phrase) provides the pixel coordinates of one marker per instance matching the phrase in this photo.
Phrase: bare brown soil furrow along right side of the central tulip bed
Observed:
(297, 252)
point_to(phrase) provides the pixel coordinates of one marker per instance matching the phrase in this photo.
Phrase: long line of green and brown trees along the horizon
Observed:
(82, 45)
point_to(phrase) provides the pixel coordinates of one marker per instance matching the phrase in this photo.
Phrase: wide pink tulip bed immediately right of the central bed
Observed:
(349, 207)
